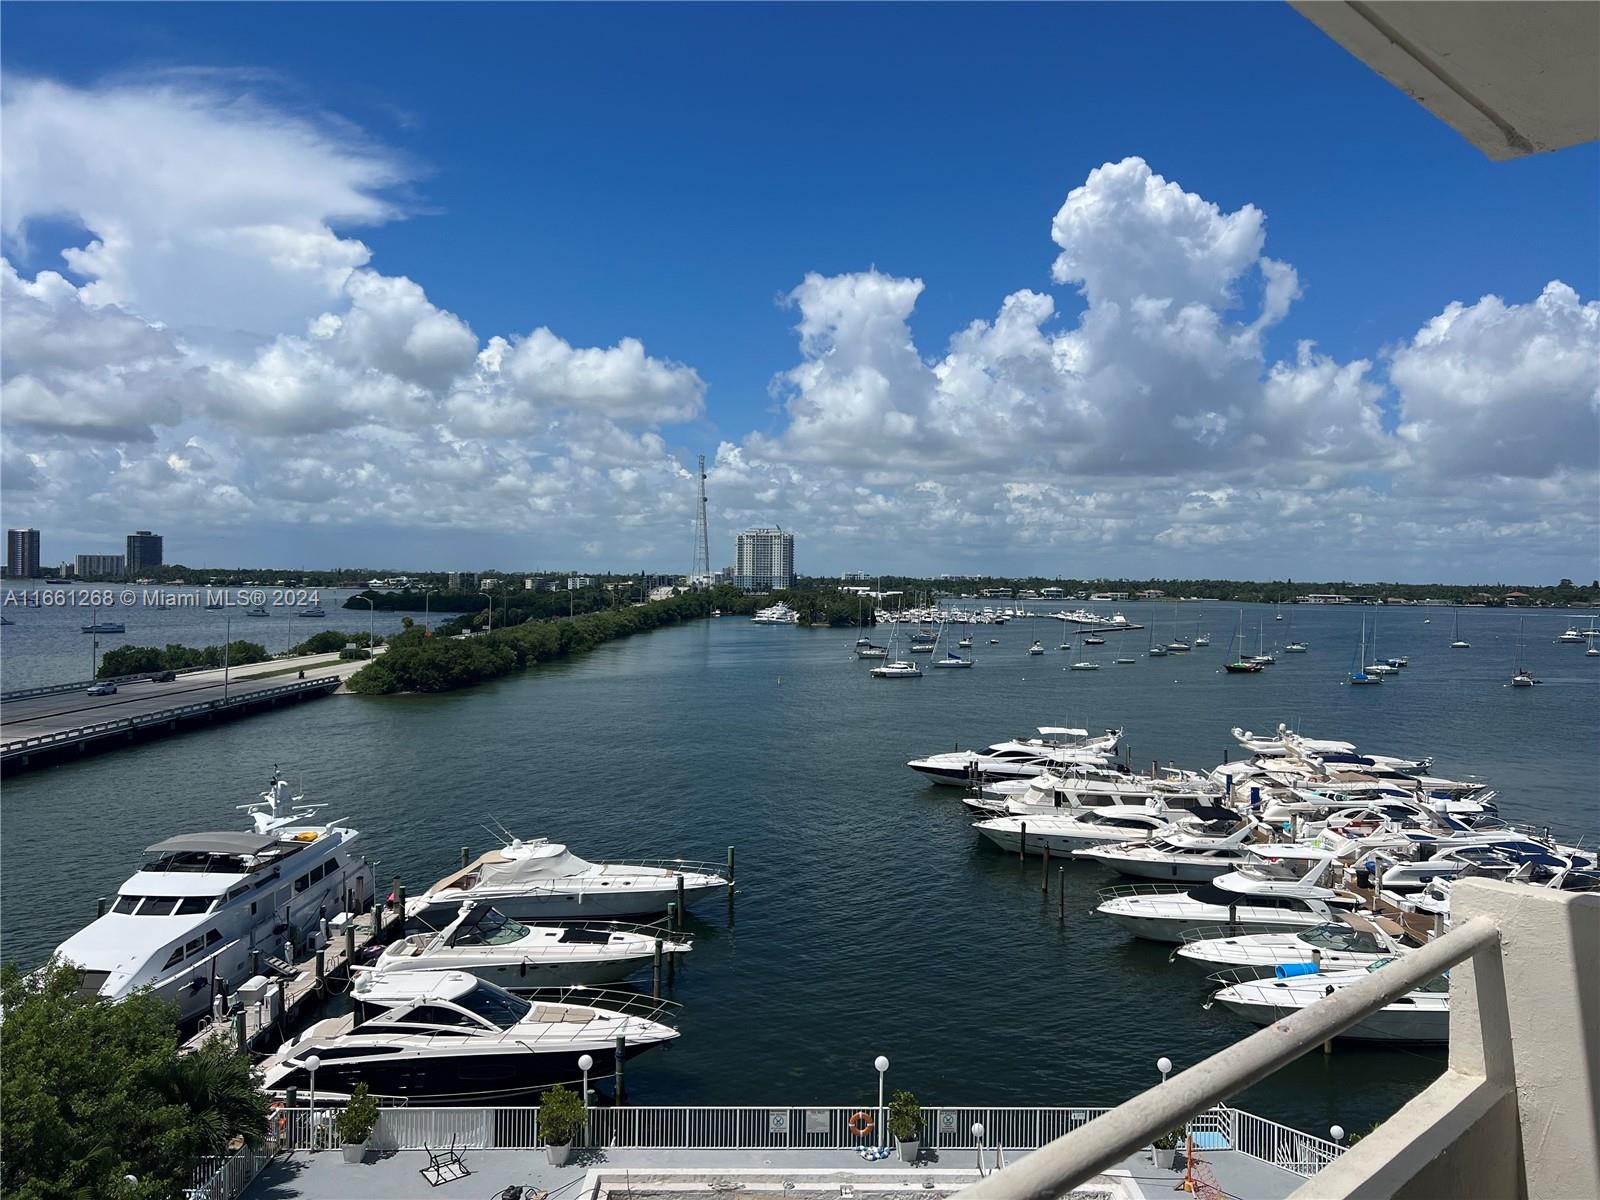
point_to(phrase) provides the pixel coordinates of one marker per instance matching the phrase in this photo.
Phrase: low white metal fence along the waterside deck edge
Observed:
(778, 1129)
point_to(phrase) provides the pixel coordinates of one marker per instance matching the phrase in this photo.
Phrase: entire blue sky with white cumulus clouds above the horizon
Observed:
(1060, 290)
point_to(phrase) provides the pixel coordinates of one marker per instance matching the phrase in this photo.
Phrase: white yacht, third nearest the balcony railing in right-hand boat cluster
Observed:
(1278, 890)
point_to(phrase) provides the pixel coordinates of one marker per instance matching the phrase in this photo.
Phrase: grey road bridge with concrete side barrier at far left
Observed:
(42, 724)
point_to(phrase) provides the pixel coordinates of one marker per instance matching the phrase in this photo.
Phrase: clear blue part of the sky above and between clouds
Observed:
(673, 174)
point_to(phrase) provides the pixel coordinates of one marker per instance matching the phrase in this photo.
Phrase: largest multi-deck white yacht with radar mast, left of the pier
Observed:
(186, 922)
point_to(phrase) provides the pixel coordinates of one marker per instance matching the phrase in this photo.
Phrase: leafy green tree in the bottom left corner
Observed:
(94, 1092)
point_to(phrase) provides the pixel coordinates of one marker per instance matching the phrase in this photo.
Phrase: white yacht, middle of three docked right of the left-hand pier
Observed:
(519, 958)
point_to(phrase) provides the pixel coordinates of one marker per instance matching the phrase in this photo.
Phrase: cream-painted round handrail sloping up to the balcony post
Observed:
(1074, 1159)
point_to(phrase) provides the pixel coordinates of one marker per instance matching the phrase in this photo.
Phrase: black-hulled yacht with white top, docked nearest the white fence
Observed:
(447, 1038)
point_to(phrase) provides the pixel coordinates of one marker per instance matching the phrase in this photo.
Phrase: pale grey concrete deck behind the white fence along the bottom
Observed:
(396, 1177)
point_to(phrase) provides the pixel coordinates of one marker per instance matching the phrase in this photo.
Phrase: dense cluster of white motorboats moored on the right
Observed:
(1289, 874)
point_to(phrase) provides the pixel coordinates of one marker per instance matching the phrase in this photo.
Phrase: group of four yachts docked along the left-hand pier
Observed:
(492, 993)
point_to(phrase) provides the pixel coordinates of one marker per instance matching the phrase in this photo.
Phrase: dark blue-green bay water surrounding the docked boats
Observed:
(870, 919)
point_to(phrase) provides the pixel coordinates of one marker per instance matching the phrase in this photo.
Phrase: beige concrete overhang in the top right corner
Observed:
(1513, 78)
